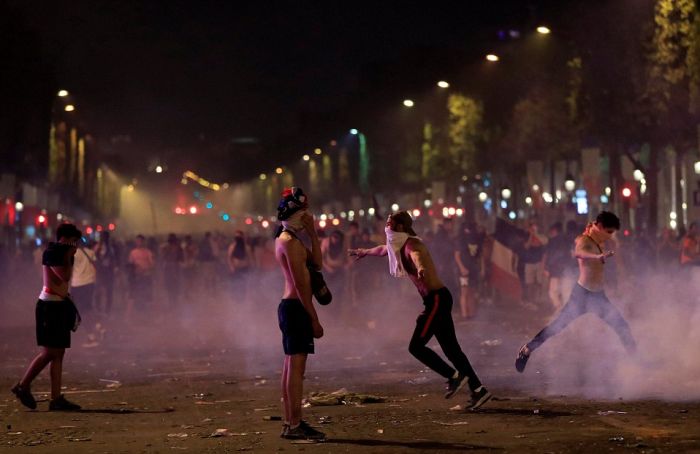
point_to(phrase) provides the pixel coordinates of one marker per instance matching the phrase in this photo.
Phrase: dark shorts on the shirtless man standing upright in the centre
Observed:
(295, 324)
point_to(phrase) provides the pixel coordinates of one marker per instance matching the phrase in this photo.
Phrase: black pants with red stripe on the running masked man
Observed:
(436, 320)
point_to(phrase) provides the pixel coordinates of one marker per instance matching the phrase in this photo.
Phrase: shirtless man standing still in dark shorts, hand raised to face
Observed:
(298, 320)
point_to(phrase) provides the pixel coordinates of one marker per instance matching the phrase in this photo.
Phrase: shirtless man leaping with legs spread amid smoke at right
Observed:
(588, 294)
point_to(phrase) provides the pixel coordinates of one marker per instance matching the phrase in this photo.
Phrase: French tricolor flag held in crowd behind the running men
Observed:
(504, 277)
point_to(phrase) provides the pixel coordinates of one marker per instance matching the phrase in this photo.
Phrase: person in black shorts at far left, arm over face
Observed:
(56, 317)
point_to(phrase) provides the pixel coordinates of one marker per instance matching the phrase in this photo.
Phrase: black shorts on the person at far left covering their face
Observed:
(54, 320)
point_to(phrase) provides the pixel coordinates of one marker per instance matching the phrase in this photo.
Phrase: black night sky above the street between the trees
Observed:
(169, 71)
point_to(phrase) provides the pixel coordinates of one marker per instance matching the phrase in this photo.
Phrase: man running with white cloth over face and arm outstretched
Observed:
(408, 256)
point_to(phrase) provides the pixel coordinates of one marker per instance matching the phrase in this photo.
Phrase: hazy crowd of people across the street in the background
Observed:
(127, 277)
